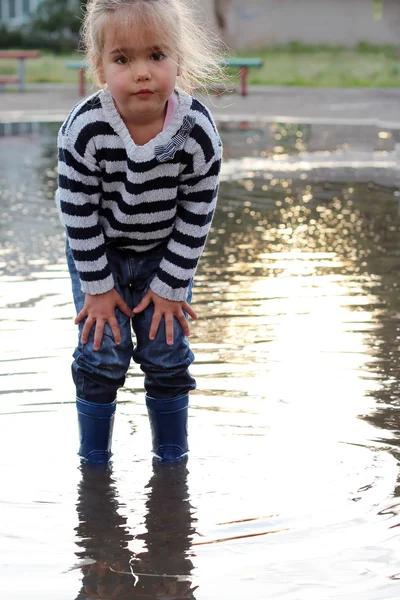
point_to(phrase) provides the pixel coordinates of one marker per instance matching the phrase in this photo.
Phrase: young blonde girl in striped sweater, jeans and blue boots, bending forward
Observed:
(139, 165)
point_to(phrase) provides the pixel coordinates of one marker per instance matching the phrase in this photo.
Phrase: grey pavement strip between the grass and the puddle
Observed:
(357, 106)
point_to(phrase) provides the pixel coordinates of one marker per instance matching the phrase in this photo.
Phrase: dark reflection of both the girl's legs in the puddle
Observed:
(163, 570)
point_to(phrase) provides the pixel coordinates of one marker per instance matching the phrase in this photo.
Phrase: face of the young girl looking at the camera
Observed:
(138, 71)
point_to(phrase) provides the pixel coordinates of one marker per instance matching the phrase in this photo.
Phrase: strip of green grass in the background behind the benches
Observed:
(293, 65)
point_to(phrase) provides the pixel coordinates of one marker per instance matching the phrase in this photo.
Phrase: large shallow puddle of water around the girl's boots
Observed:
(291, 490)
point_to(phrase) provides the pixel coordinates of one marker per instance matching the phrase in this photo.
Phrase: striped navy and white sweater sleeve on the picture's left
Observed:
(78, 198)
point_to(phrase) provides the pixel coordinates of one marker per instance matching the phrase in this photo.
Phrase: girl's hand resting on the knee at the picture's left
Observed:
(99, 310)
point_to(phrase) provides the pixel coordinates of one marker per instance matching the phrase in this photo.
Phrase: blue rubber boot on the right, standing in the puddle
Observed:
(168, 423)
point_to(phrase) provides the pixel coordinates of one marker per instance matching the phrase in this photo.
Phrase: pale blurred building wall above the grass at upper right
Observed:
(257, 23)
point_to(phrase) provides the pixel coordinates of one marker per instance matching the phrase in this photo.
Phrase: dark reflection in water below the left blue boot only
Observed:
(103, 537)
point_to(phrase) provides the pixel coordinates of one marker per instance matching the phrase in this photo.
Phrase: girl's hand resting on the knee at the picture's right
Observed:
(167, 309)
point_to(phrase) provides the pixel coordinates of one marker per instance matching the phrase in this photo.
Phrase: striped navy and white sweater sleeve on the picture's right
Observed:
(197, 197)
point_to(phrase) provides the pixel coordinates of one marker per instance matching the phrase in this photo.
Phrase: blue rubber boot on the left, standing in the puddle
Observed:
(96, 423)
